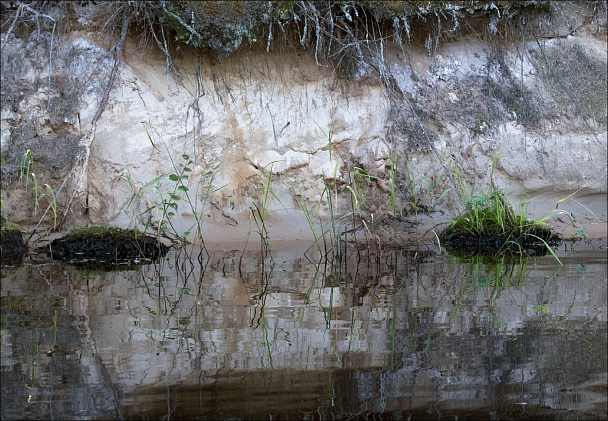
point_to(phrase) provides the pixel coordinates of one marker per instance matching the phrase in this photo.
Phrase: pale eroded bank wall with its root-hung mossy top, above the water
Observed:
(403, 114)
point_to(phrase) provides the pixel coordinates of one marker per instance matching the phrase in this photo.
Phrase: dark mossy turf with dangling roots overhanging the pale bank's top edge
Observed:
(223, 26)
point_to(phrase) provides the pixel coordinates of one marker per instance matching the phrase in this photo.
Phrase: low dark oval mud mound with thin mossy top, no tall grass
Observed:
(105, 246)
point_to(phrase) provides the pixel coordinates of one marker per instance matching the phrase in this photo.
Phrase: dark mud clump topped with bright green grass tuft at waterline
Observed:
(489, 226)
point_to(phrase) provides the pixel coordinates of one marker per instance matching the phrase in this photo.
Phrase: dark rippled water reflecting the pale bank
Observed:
(401, 334)
